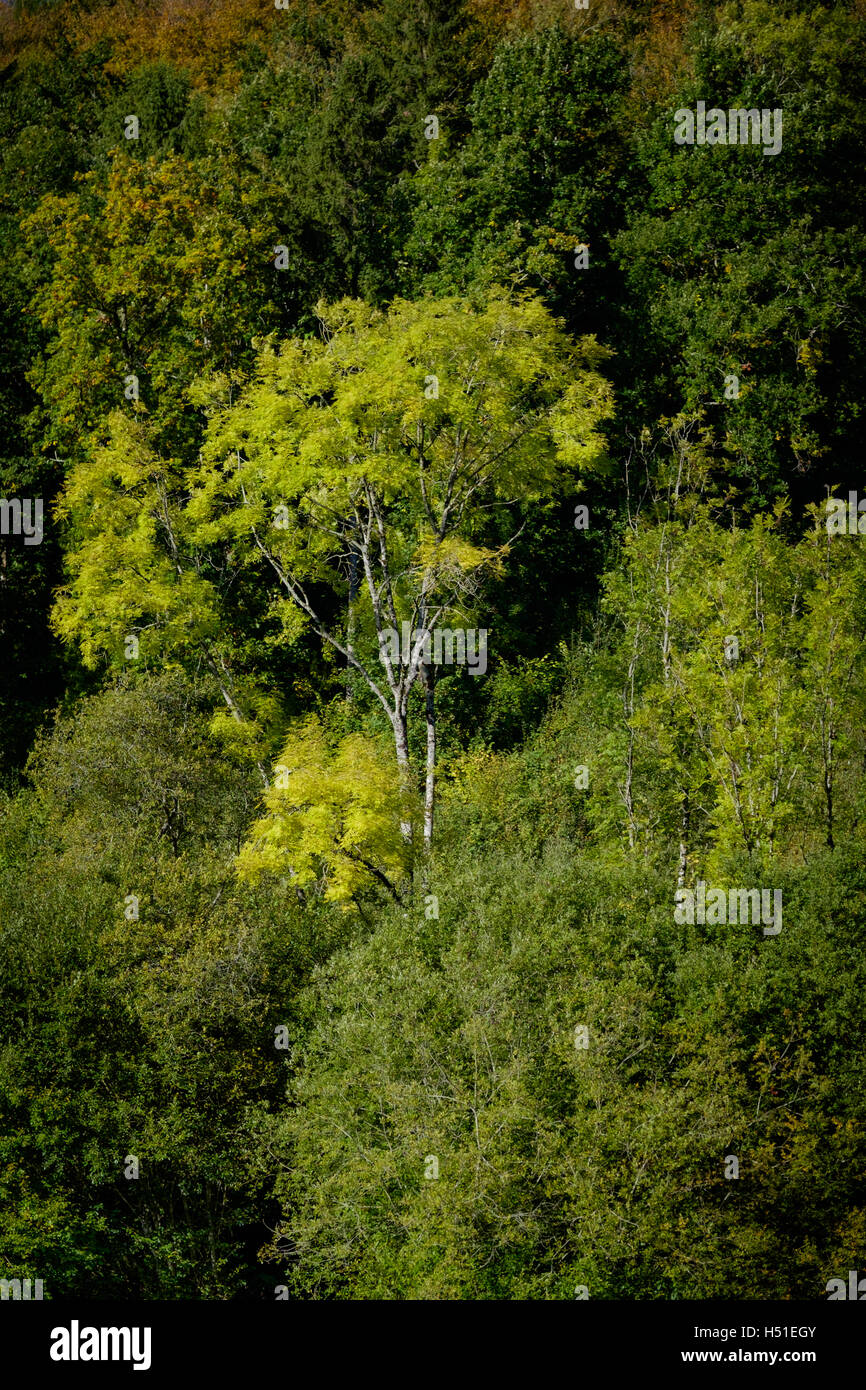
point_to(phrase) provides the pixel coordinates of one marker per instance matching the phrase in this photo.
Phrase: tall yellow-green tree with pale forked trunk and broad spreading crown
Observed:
(355, 471)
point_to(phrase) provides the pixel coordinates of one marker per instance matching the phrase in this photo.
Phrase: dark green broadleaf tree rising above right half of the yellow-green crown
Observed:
(544, 169)
